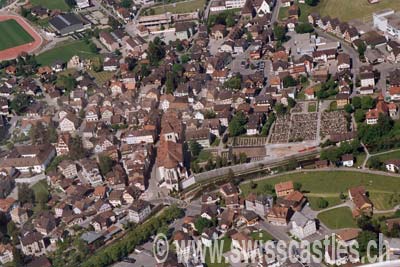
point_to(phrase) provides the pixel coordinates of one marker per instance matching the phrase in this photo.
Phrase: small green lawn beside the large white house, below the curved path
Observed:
(338, 218)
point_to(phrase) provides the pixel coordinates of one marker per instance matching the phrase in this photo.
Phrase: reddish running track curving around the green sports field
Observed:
(12, 53)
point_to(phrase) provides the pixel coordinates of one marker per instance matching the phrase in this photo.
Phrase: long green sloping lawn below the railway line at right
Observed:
(328, 185)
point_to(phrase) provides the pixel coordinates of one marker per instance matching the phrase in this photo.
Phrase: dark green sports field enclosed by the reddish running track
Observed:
(12, 35)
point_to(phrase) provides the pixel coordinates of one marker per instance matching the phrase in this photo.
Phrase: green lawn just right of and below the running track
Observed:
(65, 52)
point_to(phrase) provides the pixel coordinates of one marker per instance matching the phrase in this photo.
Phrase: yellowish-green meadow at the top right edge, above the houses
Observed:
(347, 10)
